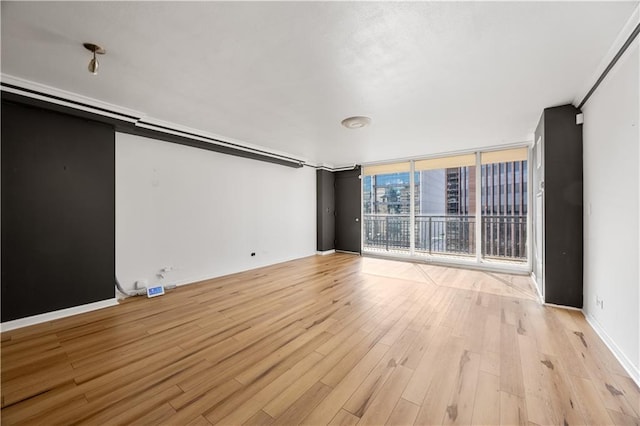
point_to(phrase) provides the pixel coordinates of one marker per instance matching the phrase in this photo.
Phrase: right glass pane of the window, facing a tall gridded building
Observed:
(504, 209)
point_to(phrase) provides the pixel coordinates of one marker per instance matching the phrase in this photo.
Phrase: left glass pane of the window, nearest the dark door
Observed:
(387, 210)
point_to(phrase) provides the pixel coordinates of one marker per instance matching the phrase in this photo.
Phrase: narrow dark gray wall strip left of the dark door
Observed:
(325, 193)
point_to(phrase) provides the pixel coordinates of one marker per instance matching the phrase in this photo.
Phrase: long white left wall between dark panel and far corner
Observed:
(203, 213)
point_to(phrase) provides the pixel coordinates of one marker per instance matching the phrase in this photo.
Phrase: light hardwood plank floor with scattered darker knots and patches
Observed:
(333, 339)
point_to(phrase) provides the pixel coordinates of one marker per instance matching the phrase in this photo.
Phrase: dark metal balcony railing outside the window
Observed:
(503, 237)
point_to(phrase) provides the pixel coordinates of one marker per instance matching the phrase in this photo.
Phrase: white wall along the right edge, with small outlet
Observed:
(611, 193)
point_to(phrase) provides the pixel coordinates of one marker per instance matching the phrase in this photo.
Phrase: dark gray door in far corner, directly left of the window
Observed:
(348, 227)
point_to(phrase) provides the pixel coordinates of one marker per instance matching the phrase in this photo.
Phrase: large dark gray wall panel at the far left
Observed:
(58, 211)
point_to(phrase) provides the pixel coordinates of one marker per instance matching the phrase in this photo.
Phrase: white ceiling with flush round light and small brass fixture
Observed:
(433, 76)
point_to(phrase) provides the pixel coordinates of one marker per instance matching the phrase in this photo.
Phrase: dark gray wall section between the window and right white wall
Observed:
(562, 153)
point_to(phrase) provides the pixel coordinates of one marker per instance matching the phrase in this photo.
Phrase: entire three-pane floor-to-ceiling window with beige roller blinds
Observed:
(469, 207)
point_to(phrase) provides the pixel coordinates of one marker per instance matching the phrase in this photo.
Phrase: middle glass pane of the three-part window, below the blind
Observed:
(445, 211)
